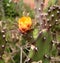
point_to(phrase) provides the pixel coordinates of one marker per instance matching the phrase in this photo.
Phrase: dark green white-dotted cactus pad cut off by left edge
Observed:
(2, 43)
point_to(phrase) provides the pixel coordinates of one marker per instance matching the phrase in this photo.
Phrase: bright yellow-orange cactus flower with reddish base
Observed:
(24, 24)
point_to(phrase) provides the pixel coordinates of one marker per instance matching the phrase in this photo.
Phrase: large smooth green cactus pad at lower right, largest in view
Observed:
(43, 45)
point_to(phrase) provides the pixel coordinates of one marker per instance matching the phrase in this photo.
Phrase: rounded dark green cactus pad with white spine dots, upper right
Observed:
(53, 18)
